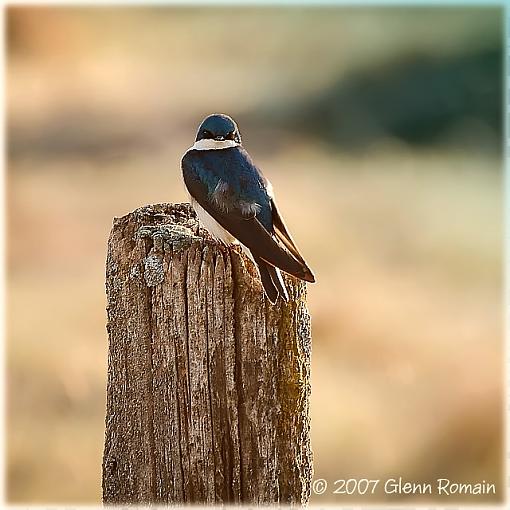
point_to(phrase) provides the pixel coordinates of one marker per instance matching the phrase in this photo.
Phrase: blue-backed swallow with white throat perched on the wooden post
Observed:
(235, 203)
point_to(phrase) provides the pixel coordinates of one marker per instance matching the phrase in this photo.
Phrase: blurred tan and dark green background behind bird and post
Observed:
(380, 129)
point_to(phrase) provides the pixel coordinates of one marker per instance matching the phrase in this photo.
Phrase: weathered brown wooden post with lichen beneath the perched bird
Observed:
(208, 384)
